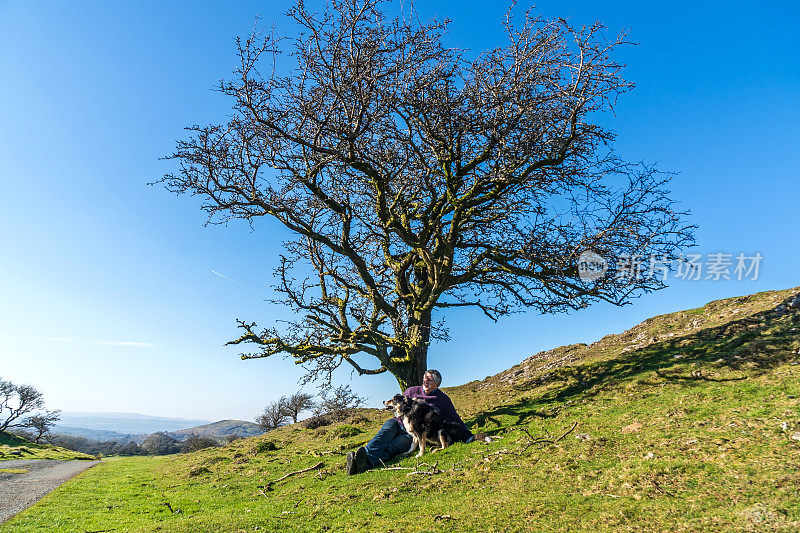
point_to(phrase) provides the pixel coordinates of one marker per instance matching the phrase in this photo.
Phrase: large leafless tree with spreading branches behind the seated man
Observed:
(418, 178)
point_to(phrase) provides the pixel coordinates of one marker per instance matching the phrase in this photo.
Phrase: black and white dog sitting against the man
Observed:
(425, 423)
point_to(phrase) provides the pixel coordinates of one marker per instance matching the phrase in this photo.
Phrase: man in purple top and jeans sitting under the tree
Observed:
(392, 439)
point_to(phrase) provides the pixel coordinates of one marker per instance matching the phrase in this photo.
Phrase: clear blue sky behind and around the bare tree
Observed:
(108, 301)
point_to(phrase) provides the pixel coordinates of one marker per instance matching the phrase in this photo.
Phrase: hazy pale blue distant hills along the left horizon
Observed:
(114, 424)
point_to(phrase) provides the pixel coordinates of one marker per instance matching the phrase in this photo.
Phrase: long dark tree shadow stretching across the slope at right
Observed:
(754, 345)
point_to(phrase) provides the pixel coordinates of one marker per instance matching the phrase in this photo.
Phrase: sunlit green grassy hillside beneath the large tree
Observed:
(687, 422)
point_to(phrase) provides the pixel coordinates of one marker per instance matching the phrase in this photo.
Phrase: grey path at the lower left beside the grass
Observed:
(20, 491)
